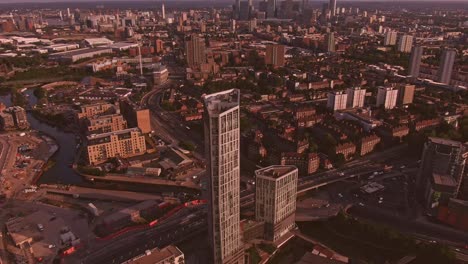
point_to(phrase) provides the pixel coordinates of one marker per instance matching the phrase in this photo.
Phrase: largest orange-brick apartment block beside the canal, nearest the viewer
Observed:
(123, 143)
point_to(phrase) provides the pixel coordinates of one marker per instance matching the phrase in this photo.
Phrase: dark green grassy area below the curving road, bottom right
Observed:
(371, 242)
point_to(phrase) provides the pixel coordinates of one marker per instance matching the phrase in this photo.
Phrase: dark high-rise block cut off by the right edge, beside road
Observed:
(442, 164)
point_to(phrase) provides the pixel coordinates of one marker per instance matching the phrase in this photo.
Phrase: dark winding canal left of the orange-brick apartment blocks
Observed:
(60, 172)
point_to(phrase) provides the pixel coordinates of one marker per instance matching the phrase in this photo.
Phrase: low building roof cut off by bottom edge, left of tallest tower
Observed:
(170, 254)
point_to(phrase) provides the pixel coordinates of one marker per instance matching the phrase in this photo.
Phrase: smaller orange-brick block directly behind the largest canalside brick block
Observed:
(105, 124)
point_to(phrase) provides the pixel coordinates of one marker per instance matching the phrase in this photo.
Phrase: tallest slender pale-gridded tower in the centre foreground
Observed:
(222, 147)
